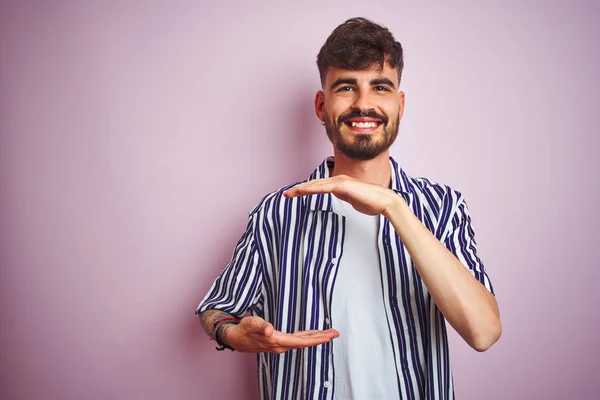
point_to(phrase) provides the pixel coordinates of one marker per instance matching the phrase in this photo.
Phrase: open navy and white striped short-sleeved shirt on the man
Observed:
(284, 267)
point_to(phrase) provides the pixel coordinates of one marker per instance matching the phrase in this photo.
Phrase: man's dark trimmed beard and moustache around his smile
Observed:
(362, 146)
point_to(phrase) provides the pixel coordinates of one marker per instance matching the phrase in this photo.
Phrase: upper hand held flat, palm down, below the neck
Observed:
(364, 197)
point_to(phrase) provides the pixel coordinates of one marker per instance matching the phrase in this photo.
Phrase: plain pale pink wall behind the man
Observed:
(135, 139)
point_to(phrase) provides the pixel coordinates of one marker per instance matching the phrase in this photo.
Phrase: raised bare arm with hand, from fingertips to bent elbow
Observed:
(465, 303)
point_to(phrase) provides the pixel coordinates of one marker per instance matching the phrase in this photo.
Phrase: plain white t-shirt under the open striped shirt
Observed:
(363, 355)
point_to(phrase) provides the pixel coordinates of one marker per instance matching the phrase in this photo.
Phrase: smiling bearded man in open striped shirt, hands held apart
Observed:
(360, 247)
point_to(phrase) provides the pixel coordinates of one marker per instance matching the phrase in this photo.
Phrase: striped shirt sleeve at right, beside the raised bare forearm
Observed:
(461, 242)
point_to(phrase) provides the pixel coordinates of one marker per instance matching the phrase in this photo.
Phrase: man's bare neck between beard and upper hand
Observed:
(376, 171)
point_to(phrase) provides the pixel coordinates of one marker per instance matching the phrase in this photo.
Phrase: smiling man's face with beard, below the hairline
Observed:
(361, 110)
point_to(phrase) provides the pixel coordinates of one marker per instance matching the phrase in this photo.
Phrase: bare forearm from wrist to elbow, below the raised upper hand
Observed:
(465, 303)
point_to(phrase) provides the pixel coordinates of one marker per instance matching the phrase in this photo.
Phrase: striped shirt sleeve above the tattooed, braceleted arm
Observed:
(239, 285)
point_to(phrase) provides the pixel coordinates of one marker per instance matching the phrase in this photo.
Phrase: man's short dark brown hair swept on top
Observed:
(359, 44)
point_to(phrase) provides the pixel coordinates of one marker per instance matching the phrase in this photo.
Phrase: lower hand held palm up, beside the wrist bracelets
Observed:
(255, 335)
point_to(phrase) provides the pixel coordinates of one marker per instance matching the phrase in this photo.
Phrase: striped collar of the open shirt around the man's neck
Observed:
(322, 202)
